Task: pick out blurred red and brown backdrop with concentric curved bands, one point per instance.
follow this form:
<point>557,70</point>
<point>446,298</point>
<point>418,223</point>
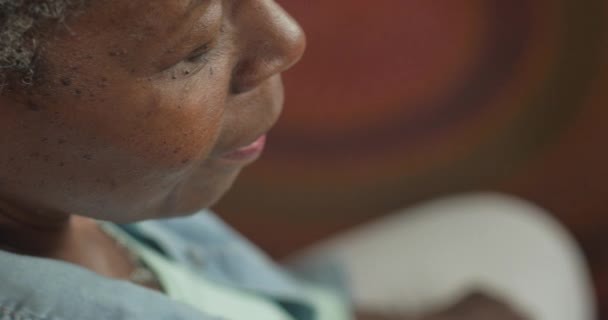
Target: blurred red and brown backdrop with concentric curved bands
<point>401,101</point>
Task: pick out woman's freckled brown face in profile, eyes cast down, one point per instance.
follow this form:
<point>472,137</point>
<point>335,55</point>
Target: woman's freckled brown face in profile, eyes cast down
<point>146,108</point>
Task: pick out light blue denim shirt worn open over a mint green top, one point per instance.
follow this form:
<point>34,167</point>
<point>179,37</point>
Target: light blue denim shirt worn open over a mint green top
<point>43,289</point>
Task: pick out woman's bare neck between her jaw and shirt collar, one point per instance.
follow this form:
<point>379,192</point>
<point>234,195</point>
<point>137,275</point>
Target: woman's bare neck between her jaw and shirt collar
<point>65,237</point>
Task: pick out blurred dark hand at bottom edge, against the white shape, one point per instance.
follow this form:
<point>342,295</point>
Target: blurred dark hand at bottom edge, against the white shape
<point>476,306</point>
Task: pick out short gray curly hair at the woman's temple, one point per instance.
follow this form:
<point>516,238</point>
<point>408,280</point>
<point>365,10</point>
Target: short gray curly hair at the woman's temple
<point>20,22</point>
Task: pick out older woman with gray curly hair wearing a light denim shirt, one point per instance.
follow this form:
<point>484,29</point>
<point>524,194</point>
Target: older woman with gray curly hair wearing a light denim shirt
<point>130,110</point>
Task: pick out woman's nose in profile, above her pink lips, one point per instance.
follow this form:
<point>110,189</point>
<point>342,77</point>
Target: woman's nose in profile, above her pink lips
<point>270,41</point>
